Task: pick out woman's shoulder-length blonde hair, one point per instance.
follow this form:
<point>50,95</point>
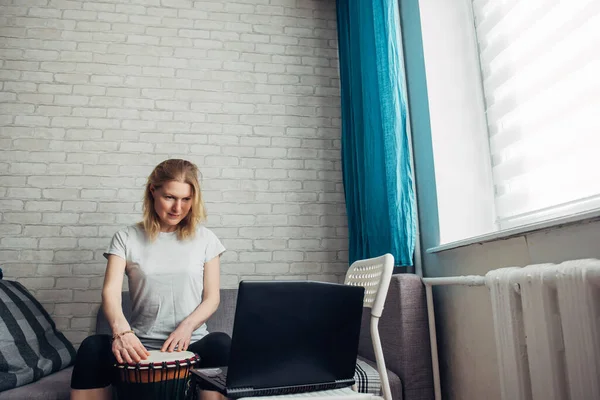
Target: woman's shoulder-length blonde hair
<point>180,171</point>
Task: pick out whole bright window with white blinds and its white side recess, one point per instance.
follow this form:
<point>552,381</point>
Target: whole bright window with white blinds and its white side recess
<point>513,94</point>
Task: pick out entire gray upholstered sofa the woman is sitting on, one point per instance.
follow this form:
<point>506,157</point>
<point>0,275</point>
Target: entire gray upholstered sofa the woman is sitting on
<point>403,328</point>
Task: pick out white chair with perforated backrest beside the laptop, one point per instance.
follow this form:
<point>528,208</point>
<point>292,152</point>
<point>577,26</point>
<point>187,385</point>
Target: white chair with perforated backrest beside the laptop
<point>374,274</point>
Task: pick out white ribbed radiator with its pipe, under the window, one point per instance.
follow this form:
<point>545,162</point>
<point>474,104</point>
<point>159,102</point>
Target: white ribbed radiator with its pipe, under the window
<point>547,328</point>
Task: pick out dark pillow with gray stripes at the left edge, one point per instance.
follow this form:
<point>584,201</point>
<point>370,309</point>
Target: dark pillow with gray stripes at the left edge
<point>30,345</point>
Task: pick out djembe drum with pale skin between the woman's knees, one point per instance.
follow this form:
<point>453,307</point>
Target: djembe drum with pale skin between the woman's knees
<point>162,376</point>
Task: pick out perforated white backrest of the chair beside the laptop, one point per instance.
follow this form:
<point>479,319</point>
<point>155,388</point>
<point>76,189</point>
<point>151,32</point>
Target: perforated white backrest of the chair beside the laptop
<point>374,274</point>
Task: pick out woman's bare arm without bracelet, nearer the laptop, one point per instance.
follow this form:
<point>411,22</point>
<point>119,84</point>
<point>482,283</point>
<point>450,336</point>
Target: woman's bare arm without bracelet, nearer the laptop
<point>210,301</point>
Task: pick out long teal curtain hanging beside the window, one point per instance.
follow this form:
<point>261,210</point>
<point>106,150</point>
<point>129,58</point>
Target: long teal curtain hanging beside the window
<point>376,156</point>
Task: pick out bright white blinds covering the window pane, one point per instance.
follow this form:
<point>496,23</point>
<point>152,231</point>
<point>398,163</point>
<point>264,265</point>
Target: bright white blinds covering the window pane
<point>540,63</point>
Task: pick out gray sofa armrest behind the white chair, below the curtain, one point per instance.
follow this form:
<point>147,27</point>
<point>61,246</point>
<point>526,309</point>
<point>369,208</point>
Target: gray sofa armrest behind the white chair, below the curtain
<point>404,332</point>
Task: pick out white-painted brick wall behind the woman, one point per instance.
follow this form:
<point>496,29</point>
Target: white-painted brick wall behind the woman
<point>94,94</point>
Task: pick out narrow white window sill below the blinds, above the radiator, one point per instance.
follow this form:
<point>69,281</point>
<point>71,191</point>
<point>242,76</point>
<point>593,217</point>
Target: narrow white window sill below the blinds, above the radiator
<point>519,231</point>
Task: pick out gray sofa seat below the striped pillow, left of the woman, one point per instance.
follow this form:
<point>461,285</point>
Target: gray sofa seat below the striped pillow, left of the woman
<point>52,387</point>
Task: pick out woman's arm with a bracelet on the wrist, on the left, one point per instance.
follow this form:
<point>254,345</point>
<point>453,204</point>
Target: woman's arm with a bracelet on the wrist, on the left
<point>126,348</point>
